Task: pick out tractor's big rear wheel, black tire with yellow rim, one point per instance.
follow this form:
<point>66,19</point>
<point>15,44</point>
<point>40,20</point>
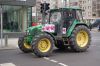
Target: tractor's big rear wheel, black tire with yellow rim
<point>80,39</point>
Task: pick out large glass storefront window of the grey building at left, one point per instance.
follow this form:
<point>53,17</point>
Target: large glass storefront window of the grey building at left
<point>16,18</point>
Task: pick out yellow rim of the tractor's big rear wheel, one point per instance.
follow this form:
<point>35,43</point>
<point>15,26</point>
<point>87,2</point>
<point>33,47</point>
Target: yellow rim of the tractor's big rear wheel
<point>82,38</point>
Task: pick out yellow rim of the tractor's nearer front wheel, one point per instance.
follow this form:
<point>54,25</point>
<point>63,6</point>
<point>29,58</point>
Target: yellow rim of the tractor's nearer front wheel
<point>44,45</point>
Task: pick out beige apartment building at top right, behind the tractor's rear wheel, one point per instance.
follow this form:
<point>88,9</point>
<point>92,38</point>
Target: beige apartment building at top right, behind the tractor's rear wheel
<point>91,9</point>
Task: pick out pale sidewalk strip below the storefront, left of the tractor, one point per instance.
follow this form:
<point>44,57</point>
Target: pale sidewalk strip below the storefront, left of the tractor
<point>12,43</point>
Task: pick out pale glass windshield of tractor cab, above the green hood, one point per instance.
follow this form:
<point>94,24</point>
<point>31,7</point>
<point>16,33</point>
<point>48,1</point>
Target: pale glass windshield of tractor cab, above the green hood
<point>55,17</point>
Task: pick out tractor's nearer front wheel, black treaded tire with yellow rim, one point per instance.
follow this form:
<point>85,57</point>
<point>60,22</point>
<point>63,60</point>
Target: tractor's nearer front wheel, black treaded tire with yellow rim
<point>42,45</point>
